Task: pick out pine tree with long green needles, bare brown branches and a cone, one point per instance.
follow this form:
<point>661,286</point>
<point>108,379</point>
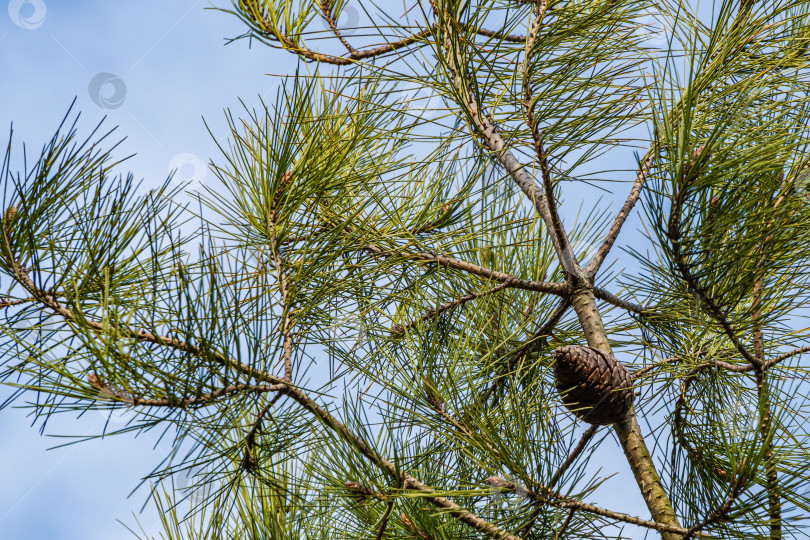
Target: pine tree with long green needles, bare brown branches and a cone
<point>389,319</point>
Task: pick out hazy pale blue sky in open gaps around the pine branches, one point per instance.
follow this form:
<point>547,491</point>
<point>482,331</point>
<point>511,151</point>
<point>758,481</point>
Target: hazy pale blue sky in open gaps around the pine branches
<point>154,68</point>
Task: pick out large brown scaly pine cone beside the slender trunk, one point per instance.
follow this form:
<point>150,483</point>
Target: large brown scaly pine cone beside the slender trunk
<point>593,385</point>
